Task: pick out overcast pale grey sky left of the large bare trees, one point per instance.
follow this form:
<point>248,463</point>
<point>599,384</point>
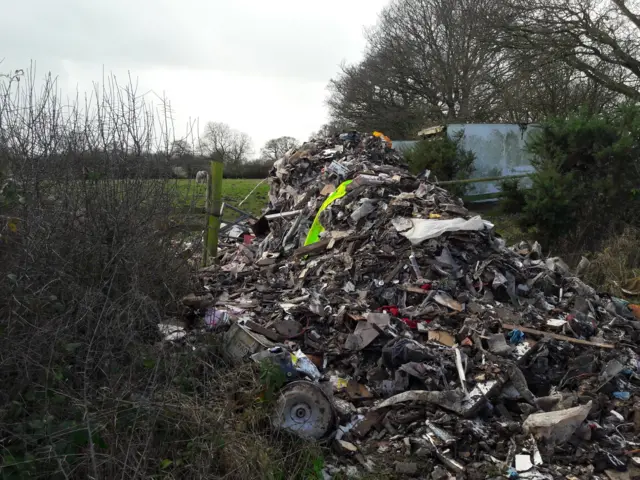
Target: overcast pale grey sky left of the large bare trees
<point>260,66</point>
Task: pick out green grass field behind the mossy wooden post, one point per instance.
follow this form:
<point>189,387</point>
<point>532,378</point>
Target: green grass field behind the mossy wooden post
<point>234,190</point>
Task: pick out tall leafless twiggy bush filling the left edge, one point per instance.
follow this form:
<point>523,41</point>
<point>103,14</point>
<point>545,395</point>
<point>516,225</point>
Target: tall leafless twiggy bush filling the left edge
<point>101,254</point>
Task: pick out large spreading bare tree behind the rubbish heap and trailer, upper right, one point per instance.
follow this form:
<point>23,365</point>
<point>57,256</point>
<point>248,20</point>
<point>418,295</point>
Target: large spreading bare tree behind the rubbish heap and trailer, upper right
<point>436,61</point>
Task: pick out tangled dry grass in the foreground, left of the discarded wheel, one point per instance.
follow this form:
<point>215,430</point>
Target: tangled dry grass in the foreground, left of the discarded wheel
<point>210,424</point>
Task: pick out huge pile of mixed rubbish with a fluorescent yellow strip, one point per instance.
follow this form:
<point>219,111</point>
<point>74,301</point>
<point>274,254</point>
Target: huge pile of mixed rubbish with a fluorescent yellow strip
<point>412,338</point>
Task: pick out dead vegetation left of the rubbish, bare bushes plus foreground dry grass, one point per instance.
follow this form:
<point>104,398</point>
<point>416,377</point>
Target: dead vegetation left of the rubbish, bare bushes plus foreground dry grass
<point>88,391</point>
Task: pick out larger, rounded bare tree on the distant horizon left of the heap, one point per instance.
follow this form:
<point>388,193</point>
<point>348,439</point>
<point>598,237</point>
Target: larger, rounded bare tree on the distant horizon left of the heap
<point>221,141</point>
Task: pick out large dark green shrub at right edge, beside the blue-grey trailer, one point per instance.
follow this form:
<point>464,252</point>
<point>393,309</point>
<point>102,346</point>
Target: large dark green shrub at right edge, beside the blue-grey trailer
<point>585,187</point>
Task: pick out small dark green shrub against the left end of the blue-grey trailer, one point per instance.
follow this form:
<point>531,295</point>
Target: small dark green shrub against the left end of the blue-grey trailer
<point>445,158</point>
